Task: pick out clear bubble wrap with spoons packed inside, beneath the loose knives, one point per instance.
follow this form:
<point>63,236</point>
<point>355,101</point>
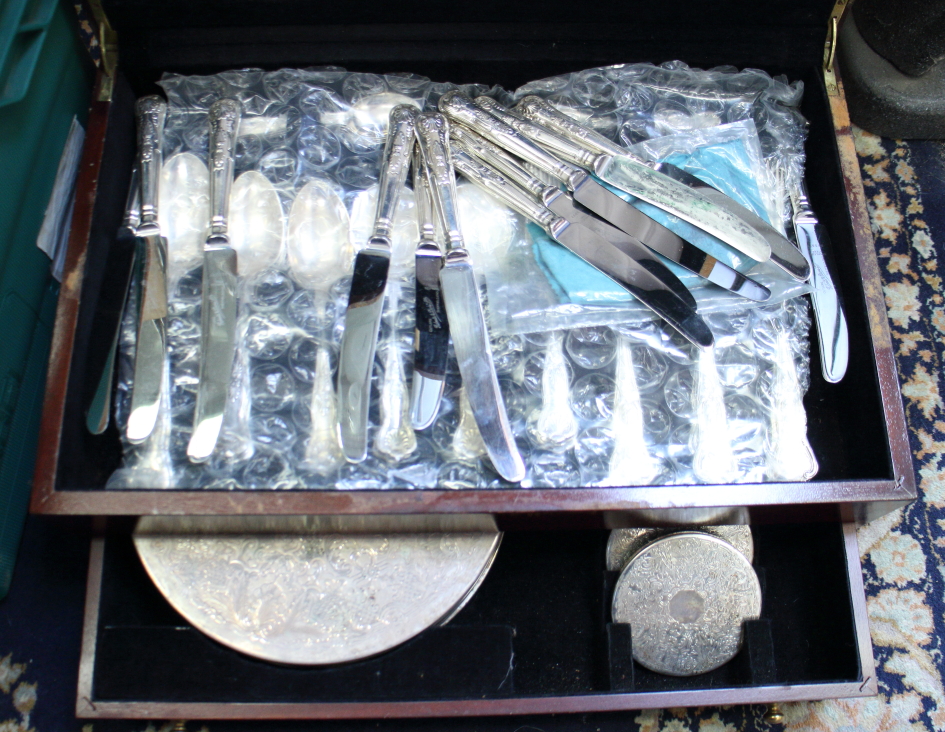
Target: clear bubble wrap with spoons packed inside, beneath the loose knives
<point>586,384</point>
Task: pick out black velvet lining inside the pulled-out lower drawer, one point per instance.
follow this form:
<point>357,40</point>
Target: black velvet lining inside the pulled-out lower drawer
<point>542,602</point>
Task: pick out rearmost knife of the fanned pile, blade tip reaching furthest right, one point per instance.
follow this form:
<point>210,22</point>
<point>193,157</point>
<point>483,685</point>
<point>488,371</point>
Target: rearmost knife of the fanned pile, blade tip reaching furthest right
<point>783,253</point>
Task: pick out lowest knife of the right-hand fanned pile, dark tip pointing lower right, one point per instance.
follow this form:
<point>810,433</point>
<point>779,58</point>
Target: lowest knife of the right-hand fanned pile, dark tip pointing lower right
<point>632,275</point>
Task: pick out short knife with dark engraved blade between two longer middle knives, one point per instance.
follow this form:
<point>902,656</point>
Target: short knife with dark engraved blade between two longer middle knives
<point>432,333</point>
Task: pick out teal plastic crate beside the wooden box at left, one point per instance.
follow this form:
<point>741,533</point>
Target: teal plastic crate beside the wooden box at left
<point>45,81</point>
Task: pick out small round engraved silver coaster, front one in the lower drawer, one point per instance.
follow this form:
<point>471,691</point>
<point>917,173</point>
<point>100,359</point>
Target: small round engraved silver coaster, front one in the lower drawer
<point>685,597</point>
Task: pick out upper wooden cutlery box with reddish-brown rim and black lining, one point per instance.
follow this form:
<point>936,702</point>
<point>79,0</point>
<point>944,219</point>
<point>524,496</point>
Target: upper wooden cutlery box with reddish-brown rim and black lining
<point>856,427</point>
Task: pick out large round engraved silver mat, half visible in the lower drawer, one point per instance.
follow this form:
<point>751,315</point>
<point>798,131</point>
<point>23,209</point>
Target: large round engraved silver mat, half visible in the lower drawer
<point>313,598</point>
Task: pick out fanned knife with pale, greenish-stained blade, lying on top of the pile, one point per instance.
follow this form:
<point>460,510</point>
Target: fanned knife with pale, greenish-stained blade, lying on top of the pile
<point>637,178</point>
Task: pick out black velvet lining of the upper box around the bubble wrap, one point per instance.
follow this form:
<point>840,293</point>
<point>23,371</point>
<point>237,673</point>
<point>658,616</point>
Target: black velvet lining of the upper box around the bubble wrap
<point>493,42</point>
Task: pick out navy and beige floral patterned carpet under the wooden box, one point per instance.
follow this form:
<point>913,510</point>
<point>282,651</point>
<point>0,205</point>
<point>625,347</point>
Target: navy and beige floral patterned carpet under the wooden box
<point>902,553</point>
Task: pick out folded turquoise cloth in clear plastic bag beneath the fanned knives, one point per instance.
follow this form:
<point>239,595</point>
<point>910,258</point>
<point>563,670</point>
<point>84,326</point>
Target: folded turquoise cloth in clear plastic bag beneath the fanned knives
<point>725,165</point>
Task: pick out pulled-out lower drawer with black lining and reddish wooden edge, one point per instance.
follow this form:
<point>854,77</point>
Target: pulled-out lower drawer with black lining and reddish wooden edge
<point>535,637</point>
